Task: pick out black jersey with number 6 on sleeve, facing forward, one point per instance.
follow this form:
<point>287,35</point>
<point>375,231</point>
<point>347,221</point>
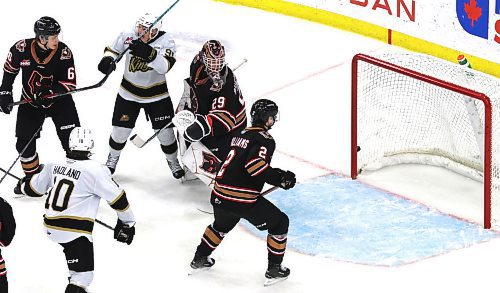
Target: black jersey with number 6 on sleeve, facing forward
<point>51,69</point>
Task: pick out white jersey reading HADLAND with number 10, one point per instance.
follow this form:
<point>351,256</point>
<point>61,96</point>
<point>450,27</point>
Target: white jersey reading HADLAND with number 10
<point>74,190</point>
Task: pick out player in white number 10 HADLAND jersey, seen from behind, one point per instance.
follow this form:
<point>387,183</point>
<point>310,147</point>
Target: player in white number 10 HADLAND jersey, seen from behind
<point>74,189</point>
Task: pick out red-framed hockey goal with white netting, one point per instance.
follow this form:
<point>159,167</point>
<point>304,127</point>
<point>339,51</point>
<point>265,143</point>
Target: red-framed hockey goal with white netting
<point>412,108</point>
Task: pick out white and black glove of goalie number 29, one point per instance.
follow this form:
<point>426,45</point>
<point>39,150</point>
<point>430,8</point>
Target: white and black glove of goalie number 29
<point>194,127</point>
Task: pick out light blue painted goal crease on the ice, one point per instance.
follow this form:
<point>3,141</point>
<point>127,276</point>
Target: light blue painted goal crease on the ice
<point>343,219</point>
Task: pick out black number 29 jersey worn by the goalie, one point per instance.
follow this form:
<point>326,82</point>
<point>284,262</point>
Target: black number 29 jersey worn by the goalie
<point>223,106</point>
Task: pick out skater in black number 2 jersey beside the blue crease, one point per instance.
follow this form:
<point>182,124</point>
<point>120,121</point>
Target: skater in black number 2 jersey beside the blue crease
<point>237,190</point>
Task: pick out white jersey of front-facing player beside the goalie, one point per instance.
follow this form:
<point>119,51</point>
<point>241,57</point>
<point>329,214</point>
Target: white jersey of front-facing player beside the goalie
<point>144,82</point>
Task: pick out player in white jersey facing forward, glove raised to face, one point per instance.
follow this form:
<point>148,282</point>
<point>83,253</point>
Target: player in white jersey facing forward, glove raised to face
<point>143,86</point>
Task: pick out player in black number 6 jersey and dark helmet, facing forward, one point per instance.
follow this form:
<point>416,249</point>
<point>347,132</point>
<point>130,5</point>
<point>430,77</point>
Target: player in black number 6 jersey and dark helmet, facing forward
<point>48,68</point>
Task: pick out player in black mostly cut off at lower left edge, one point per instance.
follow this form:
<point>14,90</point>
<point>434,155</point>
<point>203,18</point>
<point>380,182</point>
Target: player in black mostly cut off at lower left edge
<point>7,231</point>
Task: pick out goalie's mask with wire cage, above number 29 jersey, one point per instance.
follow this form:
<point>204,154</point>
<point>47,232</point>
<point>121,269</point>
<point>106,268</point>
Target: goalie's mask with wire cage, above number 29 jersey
<point>213,56</point>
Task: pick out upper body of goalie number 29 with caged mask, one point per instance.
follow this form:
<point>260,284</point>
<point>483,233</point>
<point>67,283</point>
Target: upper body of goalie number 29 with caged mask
<point>213,94</point>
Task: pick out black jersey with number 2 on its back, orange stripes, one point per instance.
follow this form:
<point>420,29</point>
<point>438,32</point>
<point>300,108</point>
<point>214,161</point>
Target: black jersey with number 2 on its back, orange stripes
<point>247,167</point>
